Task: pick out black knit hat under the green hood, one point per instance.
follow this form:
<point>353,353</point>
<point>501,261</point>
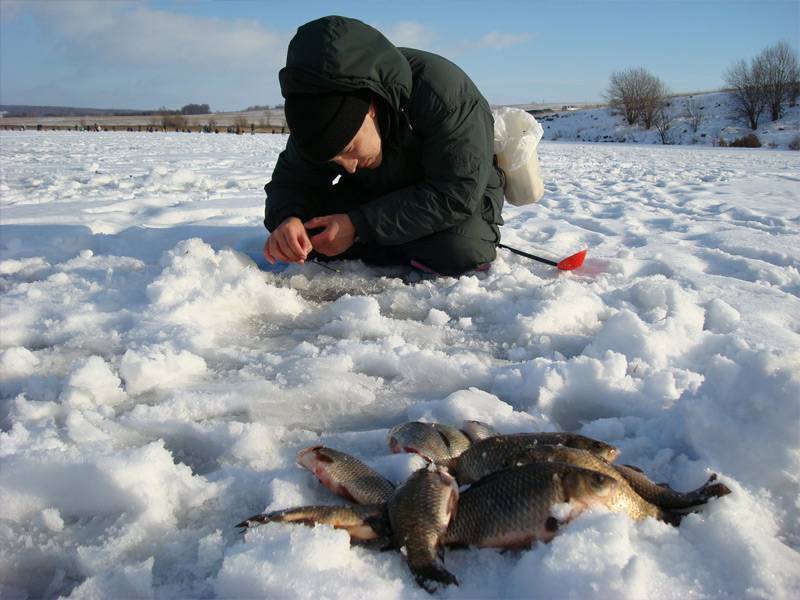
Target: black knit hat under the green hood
<point>323,124</point>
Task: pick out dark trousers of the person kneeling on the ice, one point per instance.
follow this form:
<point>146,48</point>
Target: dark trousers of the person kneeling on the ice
<point>453,251</point>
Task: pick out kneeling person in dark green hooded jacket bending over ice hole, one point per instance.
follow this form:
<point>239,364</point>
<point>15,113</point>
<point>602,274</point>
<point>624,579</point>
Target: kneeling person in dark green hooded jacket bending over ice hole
<point>390,156</point>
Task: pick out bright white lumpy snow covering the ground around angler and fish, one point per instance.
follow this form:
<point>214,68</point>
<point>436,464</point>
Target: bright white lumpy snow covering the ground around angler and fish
<point>156,384</point>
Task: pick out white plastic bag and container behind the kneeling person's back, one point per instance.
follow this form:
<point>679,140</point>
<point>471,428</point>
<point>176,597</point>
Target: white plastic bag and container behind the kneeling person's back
<point>516,135</point>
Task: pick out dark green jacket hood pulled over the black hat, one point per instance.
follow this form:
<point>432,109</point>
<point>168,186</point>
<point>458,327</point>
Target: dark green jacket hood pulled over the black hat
<point>342,54</point>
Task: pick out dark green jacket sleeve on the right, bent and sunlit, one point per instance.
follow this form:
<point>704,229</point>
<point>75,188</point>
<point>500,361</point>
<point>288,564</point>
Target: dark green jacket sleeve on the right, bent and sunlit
<point>457,154</point>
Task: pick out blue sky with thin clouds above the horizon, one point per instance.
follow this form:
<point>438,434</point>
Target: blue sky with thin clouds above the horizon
<point>227,53</point>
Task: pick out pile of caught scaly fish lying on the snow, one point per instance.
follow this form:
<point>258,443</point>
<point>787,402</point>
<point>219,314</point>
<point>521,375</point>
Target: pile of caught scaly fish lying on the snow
<point>522,488</point>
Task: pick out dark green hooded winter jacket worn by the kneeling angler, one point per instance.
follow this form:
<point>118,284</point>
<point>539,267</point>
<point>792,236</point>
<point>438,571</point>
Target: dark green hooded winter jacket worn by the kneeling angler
<point>436,131</point>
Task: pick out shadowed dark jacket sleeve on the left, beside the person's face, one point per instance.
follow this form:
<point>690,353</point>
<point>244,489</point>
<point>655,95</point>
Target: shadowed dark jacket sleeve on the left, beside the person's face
<point>296,187</point>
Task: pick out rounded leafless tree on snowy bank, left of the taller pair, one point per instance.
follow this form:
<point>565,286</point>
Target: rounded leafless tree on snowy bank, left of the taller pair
<point>637,94</point>
